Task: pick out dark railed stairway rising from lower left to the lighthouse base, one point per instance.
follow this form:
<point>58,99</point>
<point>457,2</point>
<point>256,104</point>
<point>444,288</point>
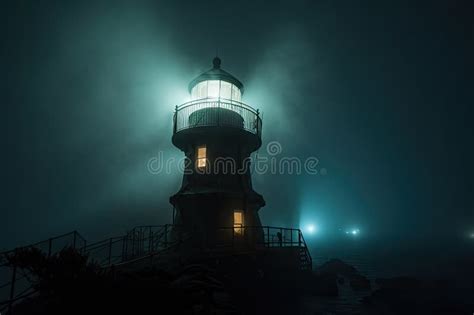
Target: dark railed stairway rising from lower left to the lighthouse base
<point>141,242</point>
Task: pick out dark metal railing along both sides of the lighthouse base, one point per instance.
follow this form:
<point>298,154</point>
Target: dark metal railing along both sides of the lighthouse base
<point>143,242</point>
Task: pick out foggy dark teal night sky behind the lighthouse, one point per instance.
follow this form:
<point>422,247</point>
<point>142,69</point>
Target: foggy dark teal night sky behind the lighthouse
<point>379,91</point>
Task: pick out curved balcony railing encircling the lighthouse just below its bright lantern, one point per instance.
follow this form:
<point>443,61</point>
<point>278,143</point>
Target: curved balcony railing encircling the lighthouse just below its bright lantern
<point>193,114</point>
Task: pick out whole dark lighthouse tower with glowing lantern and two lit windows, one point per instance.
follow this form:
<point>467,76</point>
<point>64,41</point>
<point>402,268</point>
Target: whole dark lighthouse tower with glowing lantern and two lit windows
<point>217,132</point>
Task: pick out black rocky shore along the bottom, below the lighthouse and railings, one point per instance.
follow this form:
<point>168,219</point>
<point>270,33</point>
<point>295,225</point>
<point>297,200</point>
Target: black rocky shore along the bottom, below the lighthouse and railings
<point>67,284</point>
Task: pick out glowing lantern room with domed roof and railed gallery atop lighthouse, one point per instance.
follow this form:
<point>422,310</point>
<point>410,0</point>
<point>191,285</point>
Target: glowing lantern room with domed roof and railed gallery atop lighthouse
<point>216,102</point>
